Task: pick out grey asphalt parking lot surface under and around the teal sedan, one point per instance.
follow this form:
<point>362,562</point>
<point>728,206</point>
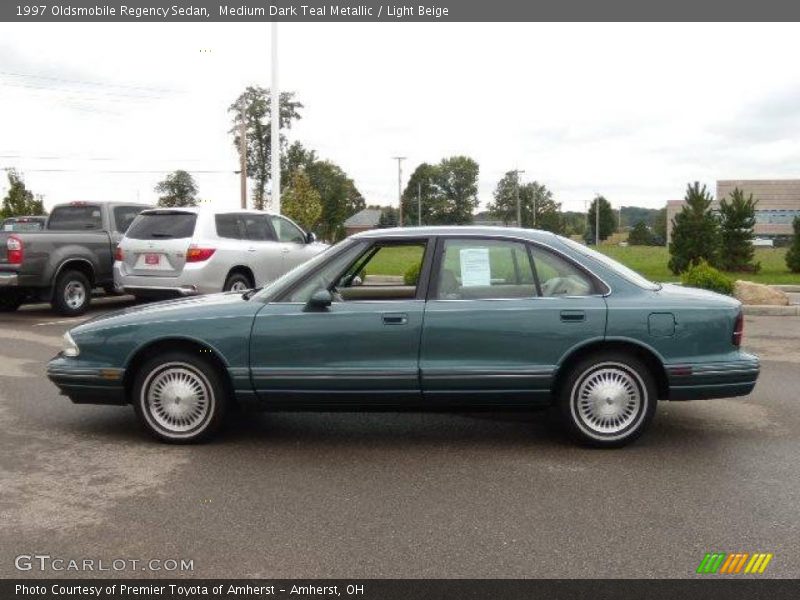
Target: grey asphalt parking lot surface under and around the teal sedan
<point>388,495</point>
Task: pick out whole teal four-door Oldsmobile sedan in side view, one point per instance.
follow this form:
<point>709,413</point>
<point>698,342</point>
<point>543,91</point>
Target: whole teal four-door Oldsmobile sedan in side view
<point>431,318</point>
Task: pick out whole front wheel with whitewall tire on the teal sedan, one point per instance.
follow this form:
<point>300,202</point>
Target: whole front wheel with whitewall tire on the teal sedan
<point>157,391</point>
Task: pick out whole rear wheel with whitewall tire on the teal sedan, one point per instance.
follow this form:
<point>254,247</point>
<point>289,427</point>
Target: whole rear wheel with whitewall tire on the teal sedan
<point>607,400</point>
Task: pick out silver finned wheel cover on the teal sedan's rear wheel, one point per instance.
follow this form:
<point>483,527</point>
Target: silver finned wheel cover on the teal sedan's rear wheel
<point>608,401</point>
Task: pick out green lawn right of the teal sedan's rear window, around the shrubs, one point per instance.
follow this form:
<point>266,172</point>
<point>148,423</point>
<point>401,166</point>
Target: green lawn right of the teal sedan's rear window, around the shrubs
<point>651,262</point>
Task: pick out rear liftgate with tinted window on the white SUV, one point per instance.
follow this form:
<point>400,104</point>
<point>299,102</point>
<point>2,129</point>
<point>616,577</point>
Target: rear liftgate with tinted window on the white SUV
<point>156,242</point>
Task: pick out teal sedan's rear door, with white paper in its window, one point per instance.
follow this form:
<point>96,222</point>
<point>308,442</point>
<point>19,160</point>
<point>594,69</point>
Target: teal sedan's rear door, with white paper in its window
<point>500,316</point>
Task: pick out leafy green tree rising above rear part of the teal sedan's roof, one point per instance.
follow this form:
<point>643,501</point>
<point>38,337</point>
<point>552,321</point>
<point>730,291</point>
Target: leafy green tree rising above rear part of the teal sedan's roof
<point>533,197</point>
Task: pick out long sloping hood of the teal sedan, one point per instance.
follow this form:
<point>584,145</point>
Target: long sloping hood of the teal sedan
<point>224,303</point>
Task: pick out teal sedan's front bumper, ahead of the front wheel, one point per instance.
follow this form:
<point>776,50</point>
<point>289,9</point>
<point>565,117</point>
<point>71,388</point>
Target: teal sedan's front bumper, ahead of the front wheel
<point>85,384</point>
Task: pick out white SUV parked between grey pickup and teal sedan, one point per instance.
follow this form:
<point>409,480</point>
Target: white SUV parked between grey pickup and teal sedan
<point>186,251</point>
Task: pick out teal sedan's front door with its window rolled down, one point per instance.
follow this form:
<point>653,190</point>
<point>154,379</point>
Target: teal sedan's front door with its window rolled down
<point>364,347</point>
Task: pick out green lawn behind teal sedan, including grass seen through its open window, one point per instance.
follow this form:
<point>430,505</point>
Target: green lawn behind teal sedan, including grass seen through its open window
<point>650,261</point>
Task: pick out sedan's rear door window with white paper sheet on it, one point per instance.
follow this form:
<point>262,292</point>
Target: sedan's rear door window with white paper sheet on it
<point>472,269</point>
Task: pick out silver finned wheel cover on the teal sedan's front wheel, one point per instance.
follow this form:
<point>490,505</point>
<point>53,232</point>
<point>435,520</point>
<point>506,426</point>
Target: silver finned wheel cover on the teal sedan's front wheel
<point>178,399</point>
